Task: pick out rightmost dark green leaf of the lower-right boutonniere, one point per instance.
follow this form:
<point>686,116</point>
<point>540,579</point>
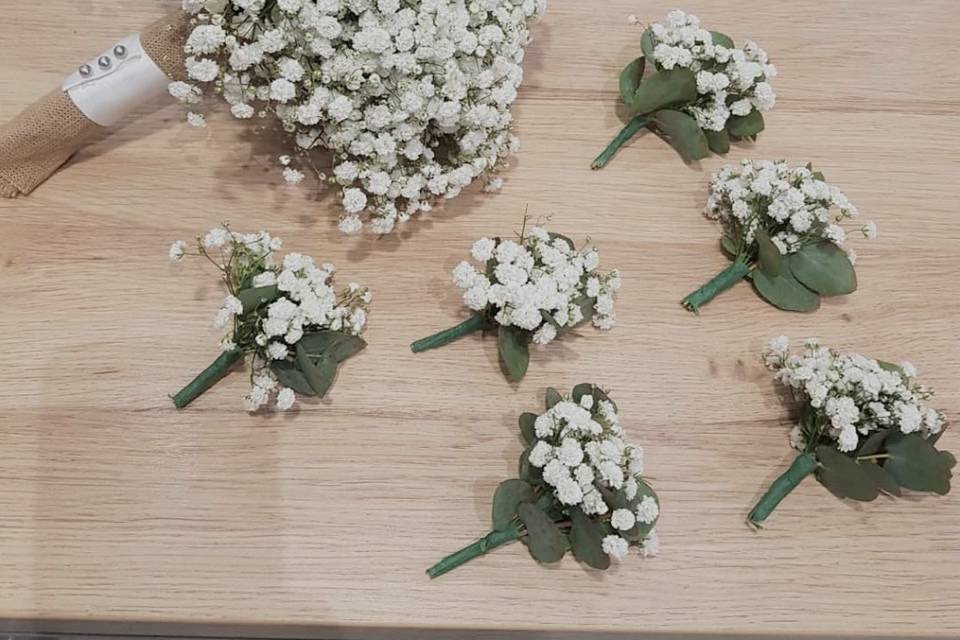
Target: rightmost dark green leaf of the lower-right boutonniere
<point>916,464</point>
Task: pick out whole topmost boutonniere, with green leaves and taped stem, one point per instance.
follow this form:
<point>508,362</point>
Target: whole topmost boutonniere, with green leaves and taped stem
<point>695,88</point>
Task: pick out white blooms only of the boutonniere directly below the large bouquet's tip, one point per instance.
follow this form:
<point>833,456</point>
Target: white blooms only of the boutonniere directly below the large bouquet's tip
<point>539,284</point>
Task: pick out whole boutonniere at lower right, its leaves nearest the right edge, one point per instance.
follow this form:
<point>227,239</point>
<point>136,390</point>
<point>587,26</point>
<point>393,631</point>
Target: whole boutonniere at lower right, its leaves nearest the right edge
<point>864,427</point>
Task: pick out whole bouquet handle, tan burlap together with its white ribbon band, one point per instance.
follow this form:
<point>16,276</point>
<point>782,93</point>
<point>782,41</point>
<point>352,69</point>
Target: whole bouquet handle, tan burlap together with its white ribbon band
<point>42,138</point>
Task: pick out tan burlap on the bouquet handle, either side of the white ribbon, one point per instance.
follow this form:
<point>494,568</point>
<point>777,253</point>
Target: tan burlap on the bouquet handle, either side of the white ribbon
<point>47,133</point>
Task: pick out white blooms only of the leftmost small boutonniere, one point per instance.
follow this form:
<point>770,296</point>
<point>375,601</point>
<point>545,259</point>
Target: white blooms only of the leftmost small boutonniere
<point>307,302</point>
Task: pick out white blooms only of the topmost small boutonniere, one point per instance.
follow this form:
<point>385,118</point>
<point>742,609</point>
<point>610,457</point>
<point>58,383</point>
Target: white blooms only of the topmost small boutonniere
<point>730,81</point>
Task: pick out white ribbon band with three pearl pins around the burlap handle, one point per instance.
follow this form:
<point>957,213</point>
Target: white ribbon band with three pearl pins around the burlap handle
<point>108,93</point>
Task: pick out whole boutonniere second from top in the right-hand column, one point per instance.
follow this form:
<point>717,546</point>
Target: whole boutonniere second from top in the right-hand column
<point>779,232</point>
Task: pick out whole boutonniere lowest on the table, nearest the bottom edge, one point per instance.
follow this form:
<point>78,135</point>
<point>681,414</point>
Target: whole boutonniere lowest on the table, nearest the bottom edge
<point>580,487</point>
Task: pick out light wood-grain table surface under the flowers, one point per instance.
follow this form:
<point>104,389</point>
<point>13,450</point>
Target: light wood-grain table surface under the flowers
<point>118,513</point>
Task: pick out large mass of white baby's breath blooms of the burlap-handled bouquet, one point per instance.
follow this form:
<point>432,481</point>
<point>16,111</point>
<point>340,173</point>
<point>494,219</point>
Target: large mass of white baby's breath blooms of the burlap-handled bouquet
<point>412,97</point>
